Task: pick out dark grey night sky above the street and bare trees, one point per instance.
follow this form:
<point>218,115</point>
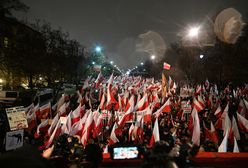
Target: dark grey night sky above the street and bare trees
<point>116,24</point>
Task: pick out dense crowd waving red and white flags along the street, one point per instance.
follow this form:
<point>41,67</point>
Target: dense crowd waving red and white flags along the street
<point>170,123</point>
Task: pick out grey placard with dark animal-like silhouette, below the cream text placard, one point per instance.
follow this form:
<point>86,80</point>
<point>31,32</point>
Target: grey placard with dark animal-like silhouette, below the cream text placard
<point>14,139</point>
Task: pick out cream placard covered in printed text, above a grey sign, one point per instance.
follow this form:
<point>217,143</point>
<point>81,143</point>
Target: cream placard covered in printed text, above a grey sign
<point>17,118</point>
